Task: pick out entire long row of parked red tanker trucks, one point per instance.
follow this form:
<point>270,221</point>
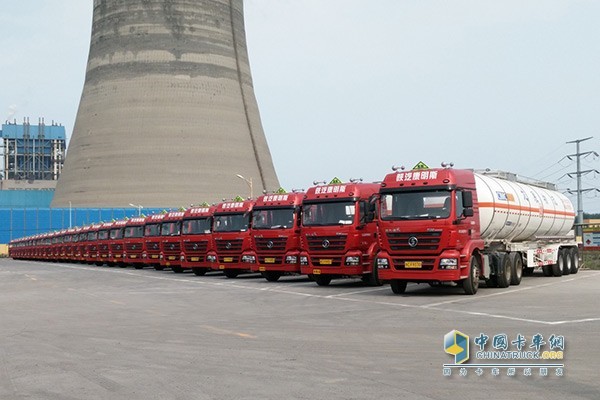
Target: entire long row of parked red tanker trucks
<point>431,226</point>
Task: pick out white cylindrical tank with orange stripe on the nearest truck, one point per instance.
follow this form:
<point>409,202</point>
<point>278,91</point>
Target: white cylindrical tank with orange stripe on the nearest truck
<point>516,211</point>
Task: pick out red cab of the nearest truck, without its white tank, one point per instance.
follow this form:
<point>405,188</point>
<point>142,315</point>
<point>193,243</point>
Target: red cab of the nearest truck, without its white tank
<point>428,226</point>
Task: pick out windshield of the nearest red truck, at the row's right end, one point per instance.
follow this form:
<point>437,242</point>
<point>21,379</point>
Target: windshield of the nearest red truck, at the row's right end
<point>433,204</point>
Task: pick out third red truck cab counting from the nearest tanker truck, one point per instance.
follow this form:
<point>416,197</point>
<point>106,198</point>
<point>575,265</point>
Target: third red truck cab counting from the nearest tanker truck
<point>275,246</point>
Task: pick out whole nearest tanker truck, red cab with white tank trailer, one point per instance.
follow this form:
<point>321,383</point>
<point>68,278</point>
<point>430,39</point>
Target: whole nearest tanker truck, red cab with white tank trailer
<point>459,226</point>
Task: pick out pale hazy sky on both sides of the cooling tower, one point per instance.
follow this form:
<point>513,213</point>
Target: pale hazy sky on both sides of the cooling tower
<point>350,88</point>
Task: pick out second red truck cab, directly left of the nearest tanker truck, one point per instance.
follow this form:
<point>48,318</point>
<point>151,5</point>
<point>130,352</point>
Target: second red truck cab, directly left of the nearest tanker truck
<point>339,232</point>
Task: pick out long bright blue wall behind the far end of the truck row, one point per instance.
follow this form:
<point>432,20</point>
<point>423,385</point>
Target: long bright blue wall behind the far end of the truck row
<point>20,222</point>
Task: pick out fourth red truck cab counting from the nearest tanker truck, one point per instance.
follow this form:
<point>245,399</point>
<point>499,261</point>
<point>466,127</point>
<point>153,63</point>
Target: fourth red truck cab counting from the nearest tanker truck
<point>231,235</point>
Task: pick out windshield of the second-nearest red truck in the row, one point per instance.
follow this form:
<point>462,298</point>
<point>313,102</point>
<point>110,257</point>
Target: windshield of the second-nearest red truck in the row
<point>328,213</point>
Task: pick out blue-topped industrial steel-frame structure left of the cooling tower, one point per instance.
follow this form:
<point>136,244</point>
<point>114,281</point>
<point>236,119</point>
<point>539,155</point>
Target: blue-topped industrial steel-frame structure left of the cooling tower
<point>32,152</point>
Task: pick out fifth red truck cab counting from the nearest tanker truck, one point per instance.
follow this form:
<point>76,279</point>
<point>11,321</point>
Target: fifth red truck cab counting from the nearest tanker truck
<point>196,237</point>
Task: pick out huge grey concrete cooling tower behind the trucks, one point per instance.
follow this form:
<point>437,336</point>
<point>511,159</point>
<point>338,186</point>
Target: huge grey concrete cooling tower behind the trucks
<point>168,115</point>
